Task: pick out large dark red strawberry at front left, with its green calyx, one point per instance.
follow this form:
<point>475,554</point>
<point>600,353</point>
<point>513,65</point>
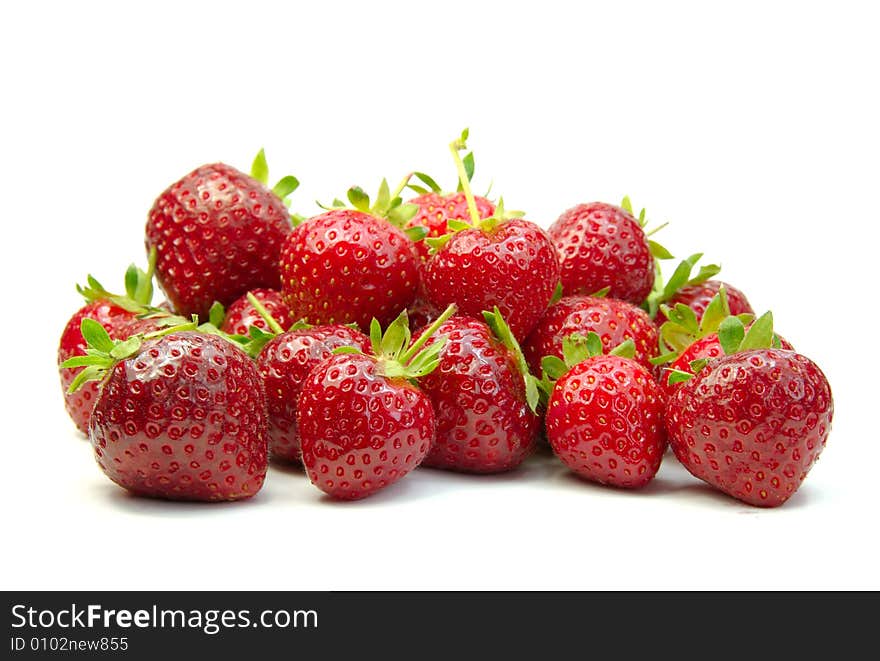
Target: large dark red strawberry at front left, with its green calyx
<point>180,415</point>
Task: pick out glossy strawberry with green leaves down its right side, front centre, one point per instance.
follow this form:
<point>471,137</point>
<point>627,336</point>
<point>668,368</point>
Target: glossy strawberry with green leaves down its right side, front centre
<point>479,392</point>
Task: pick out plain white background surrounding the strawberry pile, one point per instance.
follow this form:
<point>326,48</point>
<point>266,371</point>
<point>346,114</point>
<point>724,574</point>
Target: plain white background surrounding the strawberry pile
<point>753,128</point>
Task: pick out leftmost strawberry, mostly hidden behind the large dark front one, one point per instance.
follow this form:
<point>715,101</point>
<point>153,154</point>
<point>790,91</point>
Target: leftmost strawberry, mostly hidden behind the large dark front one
<point>114,312</point>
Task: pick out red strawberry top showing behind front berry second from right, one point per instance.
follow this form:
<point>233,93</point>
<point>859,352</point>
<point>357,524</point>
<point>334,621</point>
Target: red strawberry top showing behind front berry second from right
<point>614,321</point>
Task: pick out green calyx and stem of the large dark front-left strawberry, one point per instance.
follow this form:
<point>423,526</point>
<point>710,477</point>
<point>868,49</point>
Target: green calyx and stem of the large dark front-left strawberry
<point>102,352</point>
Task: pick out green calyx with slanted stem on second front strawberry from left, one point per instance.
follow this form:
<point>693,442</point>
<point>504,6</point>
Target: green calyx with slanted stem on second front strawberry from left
<point>396,355</point>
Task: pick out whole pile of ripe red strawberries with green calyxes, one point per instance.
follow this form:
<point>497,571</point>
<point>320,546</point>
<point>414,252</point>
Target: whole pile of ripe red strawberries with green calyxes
<point>440,331</point>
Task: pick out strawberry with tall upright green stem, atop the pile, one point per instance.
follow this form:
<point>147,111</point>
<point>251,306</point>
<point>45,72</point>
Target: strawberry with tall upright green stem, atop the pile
<point>498,261</point>
